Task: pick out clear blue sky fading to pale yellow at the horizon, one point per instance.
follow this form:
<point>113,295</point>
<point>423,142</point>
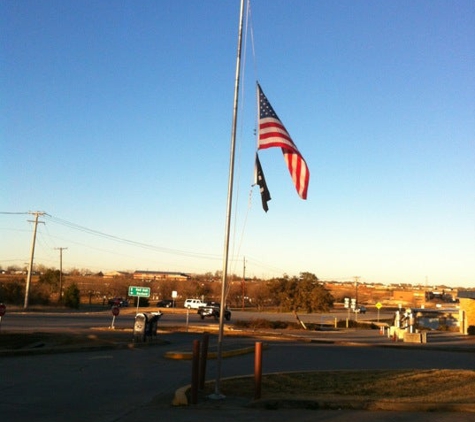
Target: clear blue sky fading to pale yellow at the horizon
<point>116,116</point>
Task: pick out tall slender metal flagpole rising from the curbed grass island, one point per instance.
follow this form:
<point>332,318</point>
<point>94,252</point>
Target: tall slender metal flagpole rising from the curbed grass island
<point>217,393</point>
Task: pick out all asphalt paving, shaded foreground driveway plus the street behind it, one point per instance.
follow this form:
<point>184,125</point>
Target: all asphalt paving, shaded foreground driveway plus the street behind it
<point>138,384</point>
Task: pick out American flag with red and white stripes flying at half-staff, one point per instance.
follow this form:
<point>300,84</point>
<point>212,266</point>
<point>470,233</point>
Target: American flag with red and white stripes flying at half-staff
<point>272,133</point>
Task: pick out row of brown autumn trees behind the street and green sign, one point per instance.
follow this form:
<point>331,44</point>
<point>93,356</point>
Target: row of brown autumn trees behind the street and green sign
<point>303,293</point>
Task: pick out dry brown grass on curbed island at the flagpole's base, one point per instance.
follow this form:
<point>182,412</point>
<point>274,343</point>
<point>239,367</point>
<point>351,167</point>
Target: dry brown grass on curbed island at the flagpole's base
<point>441,386</point>
